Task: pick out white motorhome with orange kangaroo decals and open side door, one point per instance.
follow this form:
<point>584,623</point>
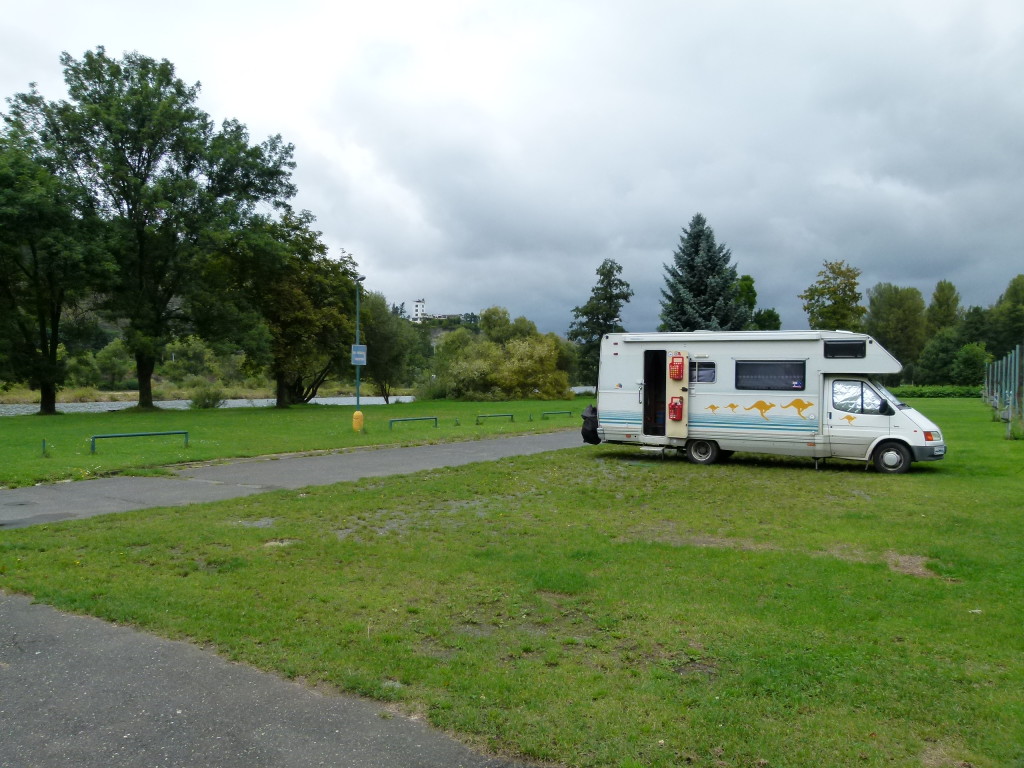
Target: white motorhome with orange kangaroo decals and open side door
<point>788,393</point>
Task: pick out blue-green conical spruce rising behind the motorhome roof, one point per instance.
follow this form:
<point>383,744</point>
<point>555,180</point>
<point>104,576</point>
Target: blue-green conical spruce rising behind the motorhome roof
<point>701,286</point>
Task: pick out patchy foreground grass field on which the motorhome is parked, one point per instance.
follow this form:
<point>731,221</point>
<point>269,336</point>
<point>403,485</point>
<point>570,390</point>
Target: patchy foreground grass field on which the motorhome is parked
<point>599,608</point>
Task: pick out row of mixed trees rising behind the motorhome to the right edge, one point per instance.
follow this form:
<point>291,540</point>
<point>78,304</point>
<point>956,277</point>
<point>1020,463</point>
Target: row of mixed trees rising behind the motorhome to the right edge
<point>942,343</point>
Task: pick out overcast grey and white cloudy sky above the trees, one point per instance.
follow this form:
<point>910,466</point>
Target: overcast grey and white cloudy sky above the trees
<point>480,154</point>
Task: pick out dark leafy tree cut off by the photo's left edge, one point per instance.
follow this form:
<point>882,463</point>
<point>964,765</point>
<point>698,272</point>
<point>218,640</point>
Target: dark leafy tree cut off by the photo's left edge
<point>49,258</point>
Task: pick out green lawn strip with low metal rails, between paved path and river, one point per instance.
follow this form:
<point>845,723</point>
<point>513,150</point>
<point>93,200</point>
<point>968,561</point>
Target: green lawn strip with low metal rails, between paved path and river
<point>221,434</point>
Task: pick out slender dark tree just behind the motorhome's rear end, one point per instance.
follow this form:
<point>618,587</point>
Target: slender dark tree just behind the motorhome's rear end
<point>599,317</point>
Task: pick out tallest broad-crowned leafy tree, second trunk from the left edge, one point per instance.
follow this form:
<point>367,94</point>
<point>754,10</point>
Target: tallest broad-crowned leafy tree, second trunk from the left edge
<point>165,181</point>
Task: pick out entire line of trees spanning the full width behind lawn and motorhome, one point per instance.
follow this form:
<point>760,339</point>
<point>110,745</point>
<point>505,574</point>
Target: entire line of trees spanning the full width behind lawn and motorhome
<point>138,234</point>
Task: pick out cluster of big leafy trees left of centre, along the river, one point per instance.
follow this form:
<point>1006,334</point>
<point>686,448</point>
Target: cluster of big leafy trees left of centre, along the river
<point>134,227</point>
